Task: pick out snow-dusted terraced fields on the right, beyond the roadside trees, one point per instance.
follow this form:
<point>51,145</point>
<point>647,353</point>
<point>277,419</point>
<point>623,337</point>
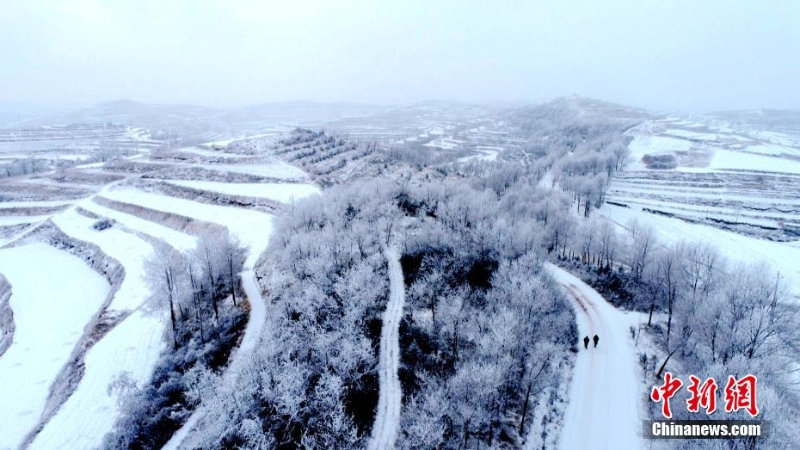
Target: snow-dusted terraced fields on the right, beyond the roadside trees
<point>711,180</point>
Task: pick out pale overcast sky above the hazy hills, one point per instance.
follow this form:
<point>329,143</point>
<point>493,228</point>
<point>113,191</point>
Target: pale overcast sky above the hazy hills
<point>692,55</point>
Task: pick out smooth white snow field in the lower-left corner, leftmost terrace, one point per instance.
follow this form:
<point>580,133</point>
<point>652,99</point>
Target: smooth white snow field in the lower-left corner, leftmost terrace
<point>54,295</point>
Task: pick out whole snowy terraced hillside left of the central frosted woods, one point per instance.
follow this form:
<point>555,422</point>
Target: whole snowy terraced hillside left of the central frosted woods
<point>101,223</point>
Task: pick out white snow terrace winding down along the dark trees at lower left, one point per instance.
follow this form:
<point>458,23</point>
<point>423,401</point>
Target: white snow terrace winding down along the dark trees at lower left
<point>133,346</point>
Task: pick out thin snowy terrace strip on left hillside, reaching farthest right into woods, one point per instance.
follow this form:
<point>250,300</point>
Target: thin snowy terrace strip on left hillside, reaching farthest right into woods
<point>281,192</point>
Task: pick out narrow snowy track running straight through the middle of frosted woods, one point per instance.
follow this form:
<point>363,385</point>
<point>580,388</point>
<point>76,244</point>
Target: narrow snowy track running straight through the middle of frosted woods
<point>387,418</point>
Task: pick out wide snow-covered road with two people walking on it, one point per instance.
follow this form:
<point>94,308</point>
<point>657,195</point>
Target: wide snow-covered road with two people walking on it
<point>603,410</point>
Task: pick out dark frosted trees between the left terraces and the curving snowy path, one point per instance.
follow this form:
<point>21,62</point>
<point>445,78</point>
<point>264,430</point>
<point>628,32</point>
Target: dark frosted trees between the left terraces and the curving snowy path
<point>200,294</point>
